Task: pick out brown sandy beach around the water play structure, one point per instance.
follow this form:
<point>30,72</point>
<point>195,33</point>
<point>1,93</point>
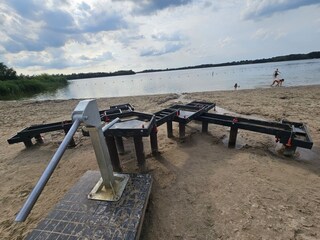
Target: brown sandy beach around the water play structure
<point>202,189</point>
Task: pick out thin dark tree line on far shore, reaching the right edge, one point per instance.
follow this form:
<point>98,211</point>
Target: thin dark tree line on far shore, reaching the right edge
<point>291,57</point>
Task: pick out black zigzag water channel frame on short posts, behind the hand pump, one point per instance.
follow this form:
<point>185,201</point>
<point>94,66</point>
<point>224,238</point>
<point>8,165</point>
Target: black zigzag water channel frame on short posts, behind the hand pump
<point>291,134</point>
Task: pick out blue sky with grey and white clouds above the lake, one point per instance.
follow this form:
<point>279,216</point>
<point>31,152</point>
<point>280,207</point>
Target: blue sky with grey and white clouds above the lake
<point>65,36</point>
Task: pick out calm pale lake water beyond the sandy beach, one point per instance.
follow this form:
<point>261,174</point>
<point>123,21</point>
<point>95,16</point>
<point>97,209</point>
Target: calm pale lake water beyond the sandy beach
<point>295,73</point>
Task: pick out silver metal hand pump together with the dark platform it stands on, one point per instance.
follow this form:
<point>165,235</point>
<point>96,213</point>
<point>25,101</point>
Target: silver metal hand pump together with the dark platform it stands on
<point>102,205</point>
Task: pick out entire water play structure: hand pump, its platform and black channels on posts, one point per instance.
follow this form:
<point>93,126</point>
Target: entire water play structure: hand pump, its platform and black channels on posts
<point>109,204</point>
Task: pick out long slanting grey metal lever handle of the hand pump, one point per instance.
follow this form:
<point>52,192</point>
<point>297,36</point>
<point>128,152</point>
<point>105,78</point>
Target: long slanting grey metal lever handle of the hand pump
<point>34,195</point>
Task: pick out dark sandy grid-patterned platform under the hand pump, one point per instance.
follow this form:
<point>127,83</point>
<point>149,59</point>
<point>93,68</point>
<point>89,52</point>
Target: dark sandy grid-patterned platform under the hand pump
<point>76,217</point>
